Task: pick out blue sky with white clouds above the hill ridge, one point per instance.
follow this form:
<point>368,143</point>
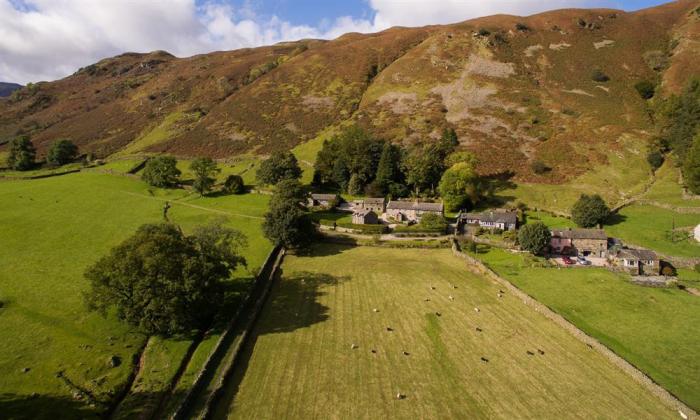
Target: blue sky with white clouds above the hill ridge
<point>50,39</point>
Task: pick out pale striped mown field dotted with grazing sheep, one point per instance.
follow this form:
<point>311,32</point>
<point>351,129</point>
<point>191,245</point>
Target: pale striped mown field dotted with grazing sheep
<point>302,363</point>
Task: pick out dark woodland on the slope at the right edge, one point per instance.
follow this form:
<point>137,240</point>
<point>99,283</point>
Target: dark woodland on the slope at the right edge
<point>680,133</point>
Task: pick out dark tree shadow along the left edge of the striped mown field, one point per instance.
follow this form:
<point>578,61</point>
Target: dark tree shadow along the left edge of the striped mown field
<point>293,304</point>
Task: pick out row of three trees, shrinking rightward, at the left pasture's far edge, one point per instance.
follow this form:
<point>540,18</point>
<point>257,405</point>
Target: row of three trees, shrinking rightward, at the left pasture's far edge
<point>162,172</point>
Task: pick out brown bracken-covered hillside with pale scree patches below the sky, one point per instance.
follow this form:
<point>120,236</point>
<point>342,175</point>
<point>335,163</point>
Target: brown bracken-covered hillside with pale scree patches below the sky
<point>517,90</point>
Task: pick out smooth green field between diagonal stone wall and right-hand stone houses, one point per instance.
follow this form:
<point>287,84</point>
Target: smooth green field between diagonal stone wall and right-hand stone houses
<point>654,329</point>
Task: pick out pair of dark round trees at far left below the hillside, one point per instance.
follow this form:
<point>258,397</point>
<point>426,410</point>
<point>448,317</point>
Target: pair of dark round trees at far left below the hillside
<point>22,153</point>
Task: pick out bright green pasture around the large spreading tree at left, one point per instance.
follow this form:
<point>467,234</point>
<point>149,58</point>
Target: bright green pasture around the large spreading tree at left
<point>50,231</point>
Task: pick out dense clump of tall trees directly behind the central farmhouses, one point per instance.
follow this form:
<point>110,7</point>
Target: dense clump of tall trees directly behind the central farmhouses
<point>357,163</point>
